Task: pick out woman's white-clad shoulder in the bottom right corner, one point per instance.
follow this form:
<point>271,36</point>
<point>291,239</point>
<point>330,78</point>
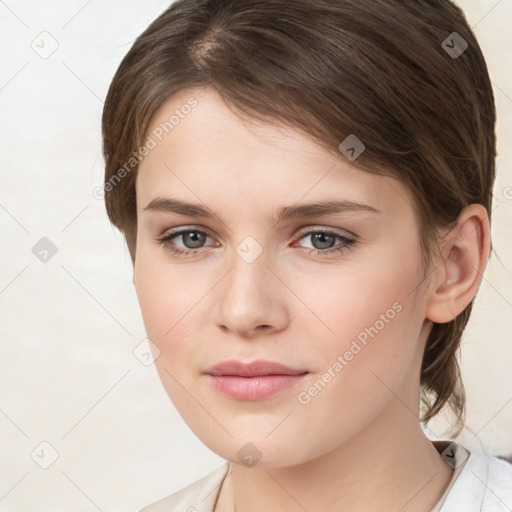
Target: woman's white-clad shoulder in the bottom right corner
<point>485,483</point>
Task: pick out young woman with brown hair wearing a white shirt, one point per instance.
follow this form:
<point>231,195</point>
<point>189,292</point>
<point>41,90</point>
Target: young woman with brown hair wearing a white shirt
<point>305,189</point>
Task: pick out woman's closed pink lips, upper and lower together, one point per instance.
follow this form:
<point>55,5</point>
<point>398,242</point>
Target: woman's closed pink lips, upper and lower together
<point>253,381</point>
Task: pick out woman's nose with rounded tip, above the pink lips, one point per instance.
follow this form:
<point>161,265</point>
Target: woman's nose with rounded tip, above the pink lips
<point>252,299</point>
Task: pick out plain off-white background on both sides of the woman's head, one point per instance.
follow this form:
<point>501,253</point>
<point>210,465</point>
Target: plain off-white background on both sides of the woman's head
<point>69,377</point>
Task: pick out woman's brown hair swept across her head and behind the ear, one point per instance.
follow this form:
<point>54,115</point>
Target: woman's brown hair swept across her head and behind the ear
<point>384,70</point>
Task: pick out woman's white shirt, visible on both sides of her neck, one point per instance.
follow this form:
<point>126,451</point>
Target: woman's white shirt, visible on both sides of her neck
<point>480,483</point>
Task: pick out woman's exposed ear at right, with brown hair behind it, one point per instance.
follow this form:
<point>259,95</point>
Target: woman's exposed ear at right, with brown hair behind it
<point>458,273</point>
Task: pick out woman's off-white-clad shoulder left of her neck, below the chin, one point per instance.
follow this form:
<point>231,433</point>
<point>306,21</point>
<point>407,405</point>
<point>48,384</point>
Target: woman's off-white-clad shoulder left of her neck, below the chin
<point>198,496</point>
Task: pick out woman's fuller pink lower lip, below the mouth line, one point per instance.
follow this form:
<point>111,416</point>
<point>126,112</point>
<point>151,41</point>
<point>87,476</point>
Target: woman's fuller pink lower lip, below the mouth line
<point>253,388</point>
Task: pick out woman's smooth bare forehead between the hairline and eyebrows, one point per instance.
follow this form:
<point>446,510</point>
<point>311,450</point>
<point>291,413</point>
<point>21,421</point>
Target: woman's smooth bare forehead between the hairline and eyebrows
<point>202,149</point>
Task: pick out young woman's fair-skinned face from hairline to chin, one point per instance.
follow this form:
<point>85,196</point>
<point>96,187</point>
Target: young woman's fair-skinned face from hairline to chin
<point>333,296</point>
